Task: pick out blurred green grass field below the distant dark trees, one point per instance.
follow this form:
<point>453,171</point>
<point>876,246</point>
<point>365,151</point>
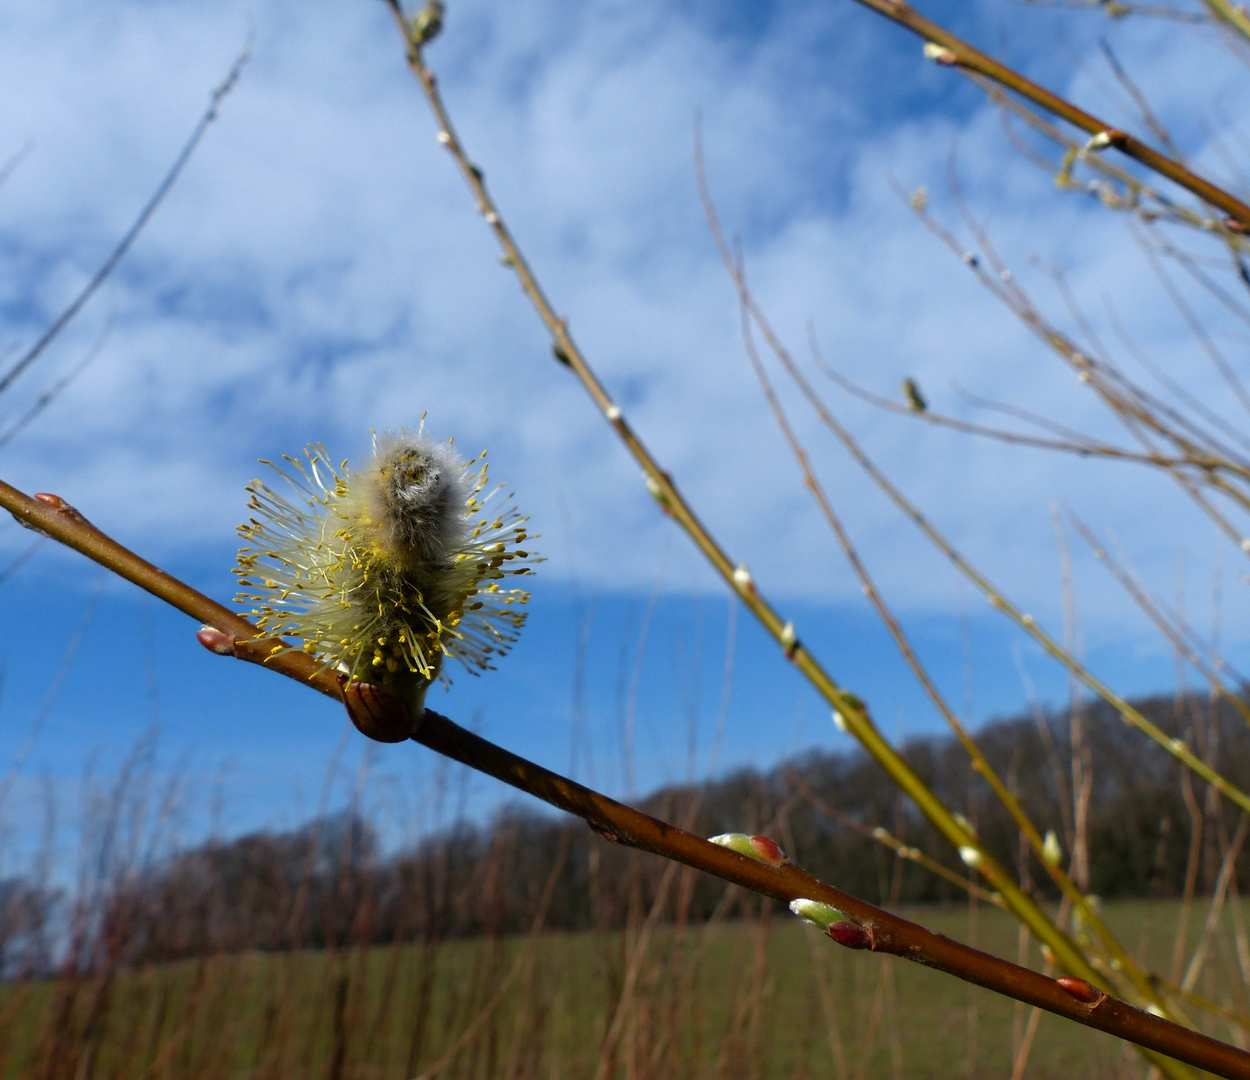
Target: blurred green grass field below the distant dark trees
<point>767,998</point>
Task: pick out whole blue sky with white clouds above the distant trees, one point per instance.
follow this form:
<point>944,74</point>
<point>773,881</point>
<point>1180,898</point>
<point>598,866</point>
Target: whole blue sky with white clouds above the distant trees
<point>319,272</point>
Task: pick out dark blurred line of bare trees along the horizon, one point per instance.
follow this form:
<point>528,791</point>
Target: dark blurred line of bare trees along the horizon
<point>328,883</point>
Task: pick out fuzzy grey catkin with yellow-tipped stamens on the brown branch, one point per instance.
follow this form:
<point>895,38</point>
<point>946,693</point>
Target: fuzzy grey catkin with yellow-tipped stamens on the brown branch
<point>386,571</point>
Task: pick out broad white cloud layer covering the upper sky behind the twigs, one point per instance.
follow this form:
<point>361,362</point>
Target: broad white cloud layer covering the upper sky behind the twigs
<point>321,271</point>
